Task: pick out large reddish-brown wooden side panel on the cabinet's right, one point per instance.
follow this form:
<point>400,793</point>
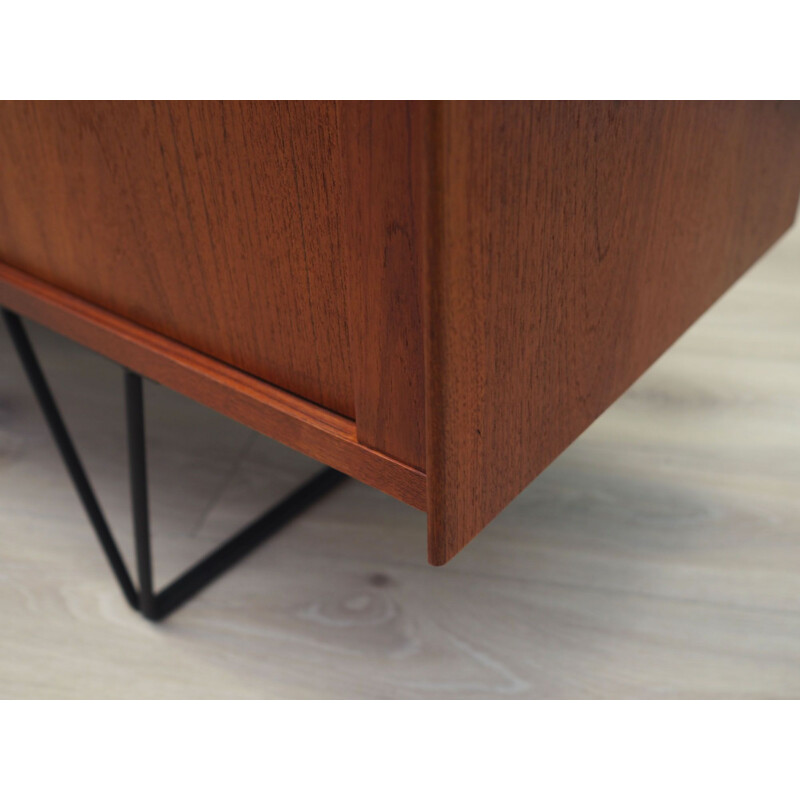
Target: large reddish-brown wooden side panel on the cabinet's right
<point>573,244</point>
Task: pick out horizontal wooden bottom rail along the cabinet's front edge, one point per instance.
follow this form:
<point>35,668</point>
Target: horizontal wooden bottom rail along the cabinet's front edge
<point>291,420</point>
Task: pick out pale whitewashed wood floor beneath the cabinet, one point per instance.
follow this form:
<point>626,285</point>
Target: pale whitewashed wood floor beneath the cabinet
<point>658,557</point>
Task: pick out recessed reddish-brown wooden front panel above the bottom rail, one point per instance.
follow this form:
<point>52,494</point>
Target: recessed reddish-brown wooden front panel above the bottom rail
<point>214,224</point>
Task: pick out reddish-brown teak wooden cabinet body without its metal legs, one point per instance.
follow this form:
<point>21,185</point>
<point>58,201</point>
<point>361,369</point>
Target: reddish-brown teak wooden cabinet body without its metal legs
<point>435,298</point>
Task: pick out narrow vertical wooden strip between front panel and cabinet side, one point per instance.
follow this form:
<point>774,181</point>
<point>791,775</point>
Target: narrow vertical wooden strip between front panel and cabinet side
<point>384,176</point>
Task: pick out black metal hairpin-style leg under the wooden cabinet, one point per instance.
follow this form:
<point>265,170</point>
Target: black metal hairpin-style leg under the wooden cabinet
<point>152,605</point>
